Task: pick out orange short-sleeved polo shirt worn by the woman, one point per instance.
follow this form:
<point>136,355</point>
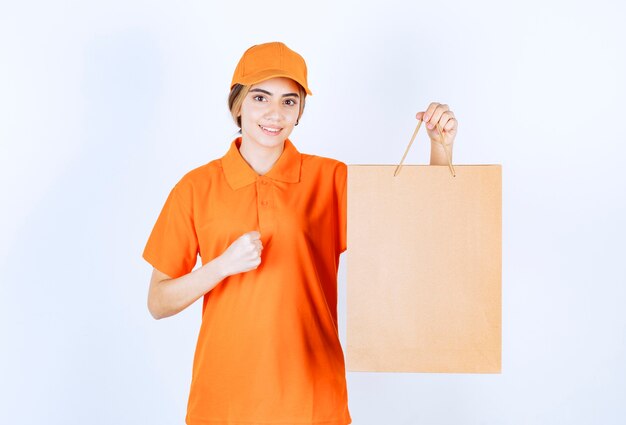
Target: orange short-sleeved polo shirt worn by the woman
<point>268,350</point>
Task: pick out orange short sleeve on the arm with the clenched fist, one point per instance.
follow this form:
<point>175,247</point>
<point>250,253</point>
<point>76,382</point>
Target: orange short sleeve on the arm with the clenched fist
<point>172,247</point>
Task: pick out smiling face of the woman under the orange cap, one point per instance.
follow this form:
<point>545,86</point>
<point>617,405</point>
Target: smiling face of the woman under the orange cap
<point>269,112</point>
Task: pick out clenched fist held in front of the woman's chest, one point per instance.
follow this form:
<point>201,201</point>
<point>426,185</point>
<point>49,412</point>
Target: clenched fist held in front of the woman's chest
<point>243,255</point>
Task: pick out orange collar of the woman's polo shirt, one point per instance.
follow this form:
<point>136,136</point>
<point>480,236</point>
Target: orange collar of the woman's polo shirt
<point>239,173</point>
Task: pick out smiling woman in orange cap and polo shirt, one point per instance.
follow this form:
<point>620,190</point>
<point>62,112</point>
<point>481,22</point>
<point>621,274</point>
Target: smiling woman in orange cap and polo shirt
<point>269,223</point>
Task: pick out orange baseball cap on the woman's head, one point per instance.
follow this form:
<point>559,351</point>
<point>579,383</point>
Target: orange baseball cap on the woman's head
<point>264,61</point>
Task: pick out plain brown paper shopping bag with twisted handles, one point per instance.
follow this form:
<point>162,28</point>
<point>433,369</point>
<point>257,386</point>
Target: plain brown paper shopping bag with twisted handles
<point>424,267</point>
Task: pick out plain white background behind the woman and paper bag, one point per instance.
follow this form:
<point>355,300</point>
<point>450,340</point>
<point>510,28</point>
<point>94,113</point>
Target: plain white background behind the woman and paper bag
<point>105,105</point>
